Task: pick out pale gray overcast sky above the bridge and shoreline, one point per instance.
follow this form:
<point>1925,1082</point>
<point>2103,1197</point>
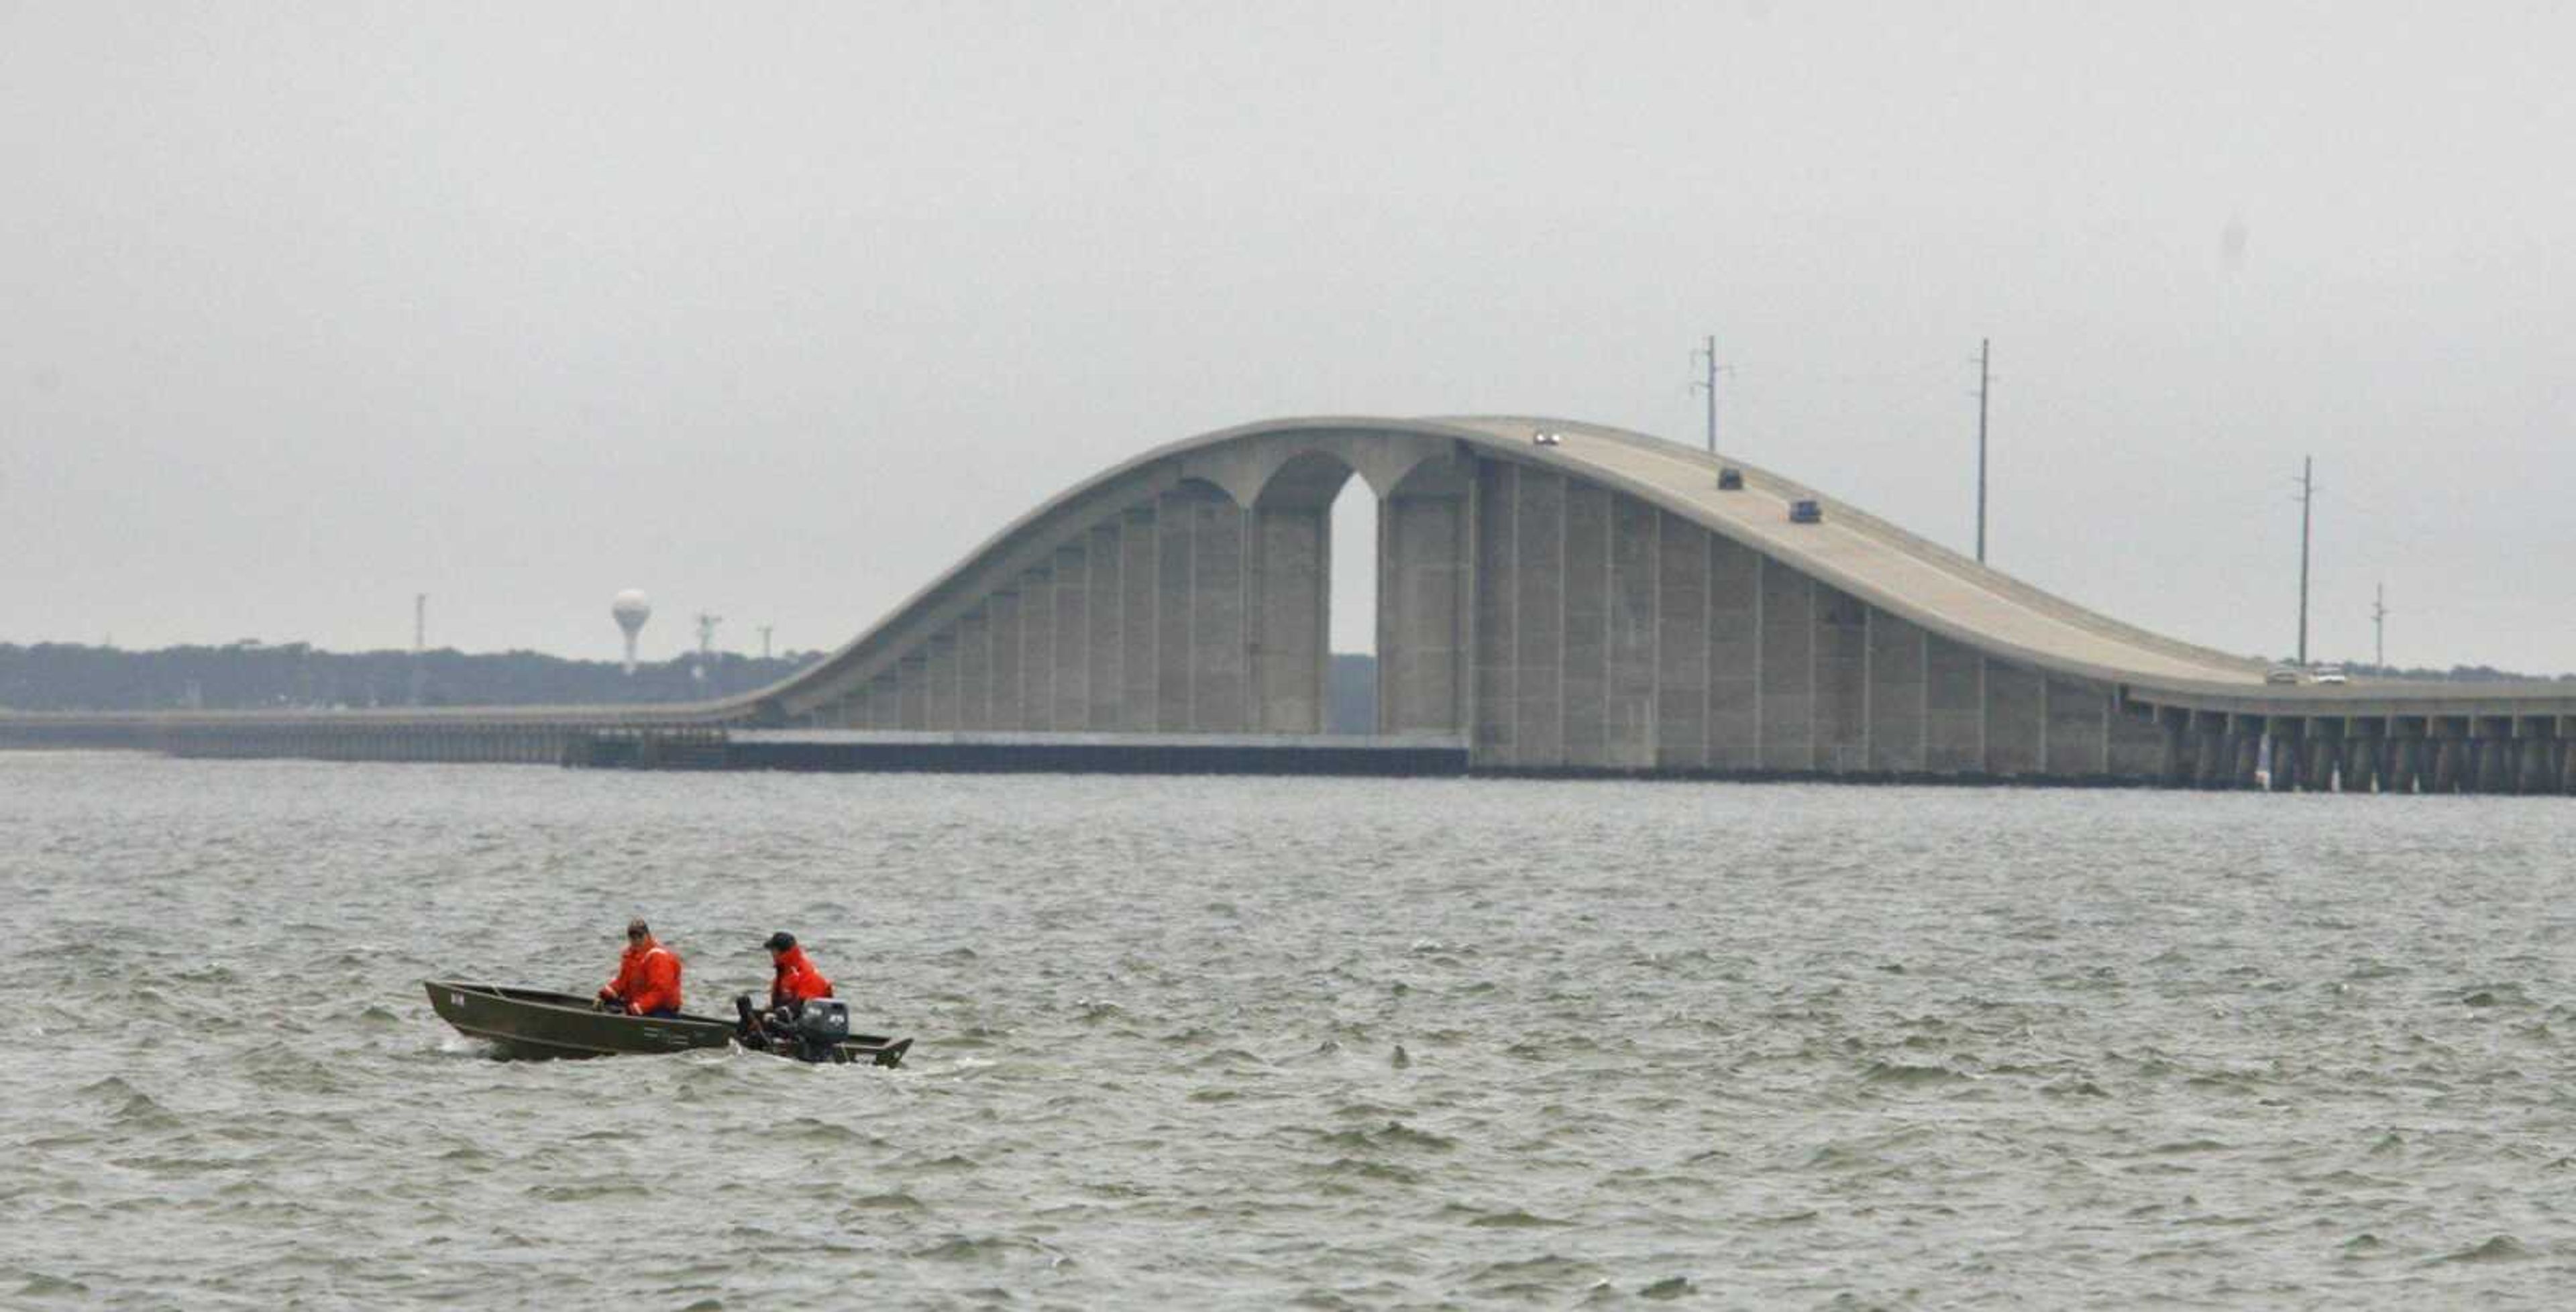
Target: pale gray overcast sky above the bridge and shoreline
<point>777,311</point>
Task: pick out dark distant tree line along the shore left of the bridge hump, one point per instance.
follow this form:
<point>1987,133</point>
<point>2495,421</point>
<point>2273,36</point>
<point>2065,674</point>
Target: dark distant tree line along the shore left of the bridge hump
<point>61,677</point>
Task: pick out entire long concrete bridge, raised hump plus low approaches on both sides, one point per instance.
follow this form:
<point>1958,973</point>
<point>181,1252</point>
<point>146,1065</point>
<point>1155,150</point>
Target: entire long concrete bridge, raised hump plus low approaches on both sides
<point>1552,599</point>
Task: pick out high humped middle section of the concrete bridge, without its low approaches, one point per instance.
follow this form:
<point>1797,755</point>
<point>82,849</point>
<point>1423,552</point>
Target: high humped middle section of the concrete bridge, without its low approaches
<point>1555,594</point>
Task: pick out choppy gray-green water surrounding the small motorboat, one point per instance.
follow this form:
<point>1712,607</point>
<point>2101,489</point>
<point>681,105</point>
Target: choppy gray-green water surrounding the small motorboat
<point>1215,1043</point>
